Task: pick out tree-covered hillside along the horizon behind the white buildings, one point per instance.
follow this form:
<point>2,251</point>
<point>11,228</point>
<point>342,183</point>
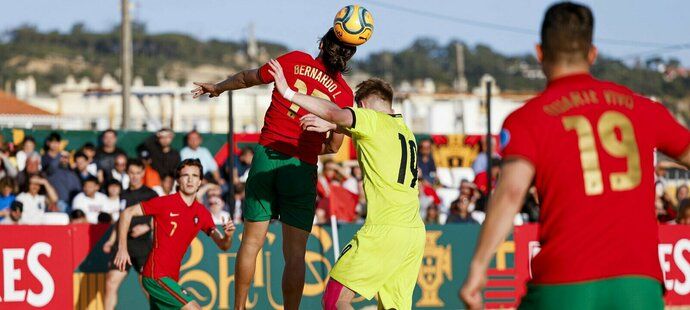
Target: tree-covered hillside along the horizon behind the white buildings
<point>51,56</point>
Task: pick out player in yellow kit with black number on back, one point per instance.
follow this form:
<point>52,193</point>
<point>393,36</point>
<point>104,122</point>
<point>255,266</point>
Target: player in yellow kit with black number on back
<point>385,255</point>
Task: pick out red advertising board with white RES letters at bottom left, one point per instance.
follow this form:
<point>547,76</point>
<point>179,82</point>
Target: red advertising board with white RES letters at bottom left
<point>36,268</point>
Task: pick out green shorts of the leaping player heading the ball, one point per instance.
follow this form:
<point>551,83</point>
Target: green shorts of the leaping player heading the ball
<point>280,186</point>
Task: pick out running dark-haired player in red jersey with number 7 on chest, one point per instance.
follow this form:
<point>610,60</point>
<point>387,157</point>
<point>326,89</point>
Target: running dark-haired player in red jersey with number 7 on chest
<point>177,219</point>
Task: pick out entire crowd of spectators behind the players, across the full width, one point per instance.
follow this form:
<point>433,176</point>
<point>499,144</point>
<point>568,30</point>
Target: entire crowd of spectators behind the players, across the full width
<point>92,183</point>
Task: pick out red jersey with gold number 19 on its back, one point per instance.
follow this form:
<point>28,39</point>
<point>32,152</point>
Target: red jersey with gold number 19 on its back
<point>592,144</point>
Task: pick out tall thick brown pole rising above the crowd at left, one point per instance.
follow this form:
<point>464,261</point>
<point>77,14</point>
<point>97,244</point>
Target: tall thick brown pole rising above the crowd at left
<point>126,63</point>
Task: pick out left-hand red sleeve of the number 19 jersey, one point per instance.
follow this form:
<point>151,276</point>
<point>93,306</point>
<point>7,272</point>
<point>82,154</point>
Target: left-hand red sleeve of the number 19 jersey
<point>517,139</point>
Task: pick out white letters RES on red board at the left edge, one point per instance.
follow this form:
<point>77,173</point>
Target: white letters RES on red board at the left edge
<point>12,275</point>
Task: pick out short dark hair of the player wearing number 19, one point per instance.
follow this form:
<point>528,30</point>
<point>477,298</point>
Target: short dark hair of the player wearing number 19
<point>566,32</point>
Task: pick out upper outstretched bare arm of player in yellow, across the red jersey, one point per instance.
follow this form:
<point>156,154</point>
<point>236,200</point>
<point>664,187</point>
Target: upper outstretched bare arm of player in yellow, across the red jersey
<point>324,109</point>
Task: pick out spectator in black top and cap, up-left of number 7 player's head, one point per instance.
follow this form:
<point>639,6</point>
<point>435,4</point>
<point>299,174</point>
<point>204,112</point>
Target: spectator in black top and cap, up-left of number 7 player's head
<point>164,158</point>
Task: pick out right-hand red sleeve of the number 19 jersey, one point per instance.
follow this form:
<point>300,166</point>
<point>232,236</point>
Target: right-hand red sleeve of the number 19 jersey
<point>672,138</point>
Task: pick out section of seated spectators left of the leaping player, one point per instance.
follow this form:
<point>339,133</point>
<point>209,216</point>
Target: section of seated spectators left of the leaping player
<point>93,183</point>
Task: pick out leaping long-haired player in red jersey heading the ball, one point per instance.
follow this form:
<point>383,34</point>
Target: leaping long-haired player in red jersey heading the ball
<point>282,180</point>
